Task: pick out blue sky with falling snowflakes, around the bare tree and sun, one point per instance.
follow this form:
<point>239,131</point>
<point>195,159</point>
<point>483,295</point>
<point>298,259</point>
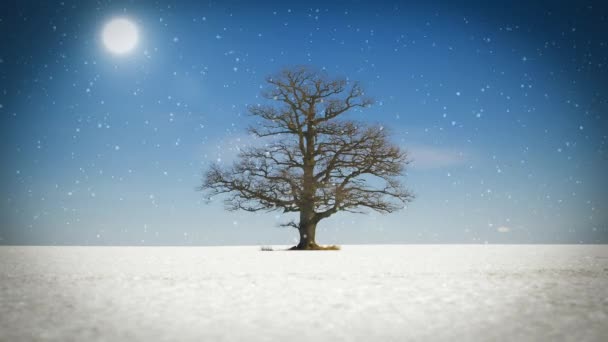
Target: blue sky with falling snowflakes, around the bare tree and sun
<point>502,106</point>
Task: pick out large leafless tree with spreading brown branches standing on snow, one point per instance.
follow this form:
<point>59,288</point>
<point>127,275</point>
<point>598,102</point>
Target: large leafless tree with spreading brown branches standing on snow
<point>314,162</point>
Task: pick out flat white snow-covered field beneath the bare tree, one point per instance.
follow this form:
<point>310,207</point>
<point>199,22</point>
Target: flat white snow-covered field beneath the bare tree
<point>362,293</point>
